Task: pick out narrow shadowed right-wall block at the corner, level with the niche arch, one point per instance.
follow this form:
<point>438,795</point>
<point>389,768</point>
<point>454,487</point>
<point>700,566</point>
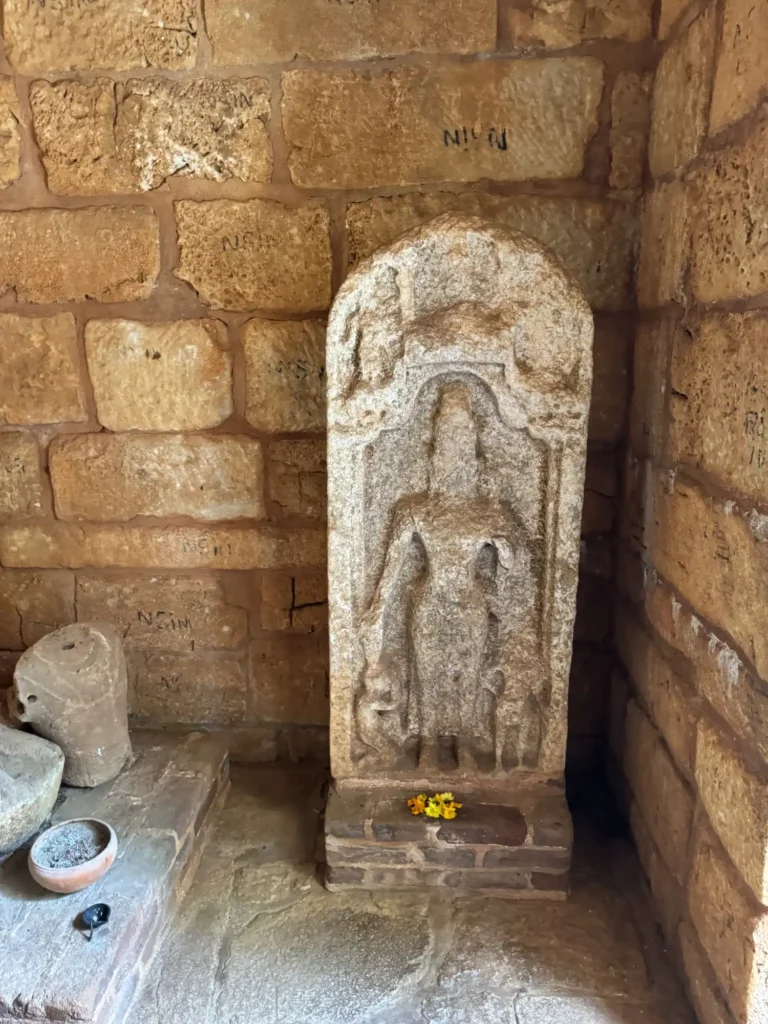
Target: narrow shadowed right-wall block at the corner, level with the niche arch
<point>653,342</point>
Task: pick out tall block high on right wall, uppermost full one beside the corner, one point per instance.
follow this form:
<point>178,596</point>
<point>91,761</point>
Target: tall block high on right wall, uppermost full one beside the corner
<point>681,96</point>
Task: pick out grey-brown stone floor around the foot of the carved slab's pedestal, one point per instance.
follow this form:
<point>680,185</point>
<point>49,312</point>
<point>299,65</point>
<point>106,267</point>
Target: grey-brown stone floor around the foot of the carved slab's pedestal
<point>259,941</point>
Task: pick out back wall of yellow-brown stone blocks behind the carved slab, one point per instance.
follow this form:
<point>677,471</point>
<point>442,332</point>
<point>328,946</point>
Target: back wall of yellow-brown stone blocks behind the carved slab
<point>184,186</point>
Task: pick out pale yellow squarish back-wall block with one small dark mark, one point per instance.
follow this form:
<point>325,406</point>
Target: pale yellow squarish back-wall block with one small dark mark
<point>176,375</point>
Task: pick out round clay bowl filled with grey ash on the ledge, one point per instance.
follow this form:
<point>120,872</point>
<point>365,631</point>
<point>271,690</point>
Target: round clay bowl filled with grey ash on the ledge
<point>72,856</point>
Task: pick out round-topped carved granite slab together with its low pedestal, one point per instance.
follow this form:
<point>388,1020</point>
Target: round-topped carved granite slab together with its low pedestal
<point>460,371</point>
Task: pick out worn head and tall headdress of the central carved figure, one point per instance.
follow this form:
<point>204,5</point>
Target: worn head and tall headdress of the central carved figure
<point>454,455</point>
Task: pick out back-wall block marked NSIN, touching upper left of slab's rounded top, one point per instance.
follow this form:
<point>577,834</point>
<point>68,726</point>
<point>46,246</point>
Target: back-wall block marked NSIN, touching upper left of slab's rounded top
<point>258,254</point>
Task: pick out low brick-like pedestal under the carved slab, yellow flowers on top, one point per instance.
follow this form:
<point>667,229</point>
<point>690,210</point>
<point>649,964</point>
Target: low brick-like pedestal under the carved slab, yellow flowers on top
<point>520,848</point>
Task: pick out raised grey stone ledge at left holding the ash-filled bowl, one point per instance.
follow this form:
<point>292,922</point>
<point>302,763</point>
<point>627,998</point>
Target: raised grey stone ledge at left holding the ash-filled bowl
<point>160,808</point>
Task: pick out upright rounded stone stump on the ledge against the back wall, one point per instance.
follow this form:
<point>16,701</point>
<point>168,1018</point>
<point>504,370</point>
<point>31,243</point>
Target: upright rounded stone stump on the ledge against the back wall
<point>72,689</point>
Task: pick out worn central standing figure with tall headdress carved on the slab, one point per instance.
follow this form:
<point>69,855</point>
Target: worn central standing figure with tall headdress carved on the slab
<point>447,713</point>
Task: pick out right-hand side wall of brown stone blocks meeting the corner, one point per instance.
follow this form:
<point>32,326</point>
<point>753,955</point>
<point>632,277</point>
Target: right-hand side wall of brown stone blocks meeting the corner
<point>691,709</point>
